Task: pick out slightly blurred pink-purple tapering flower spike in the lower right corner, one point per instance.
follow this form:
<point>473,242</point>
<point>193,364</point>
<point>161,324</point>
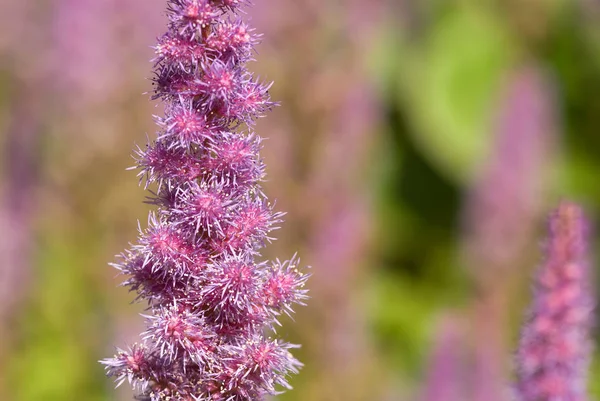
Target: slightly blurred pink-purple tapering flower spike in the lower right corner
<point>552,358</point>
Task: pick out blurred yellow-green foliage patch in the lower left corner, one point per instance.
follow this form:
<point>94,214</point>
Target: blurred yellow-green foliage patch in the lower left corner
<point>60,335</point>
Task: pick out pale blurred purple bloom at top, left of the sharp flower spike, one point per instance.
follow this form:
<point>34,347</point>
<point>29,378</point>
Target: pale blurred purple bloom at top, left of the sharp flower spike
<point>83,33</point>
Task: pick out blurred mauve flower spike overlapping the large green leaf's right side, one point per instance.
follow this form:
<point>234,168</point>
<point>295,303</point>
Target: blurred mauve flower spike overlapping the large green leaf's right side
<point>504,203</point>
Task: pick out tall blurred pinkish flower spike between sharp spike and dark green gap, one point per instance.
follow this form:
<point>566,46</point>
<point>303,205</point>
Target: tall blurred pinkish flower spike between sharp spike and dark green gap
<point>339,241</point>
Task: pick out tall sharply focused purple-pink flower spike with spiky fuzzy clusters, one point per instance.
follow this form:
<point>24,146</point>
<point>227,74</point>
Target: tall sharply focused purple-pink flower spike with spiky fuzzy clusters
<point>212,306</point>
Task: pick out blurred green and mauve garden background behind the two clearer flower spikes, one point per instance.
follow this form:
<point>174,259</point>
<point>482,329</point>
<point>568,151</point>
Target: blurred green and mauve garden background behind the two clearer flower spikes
<point>417,148</point>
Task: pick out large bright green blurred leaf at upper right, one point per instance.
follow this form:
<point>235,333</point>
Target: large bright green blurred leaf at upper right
<point>447,82</point>
